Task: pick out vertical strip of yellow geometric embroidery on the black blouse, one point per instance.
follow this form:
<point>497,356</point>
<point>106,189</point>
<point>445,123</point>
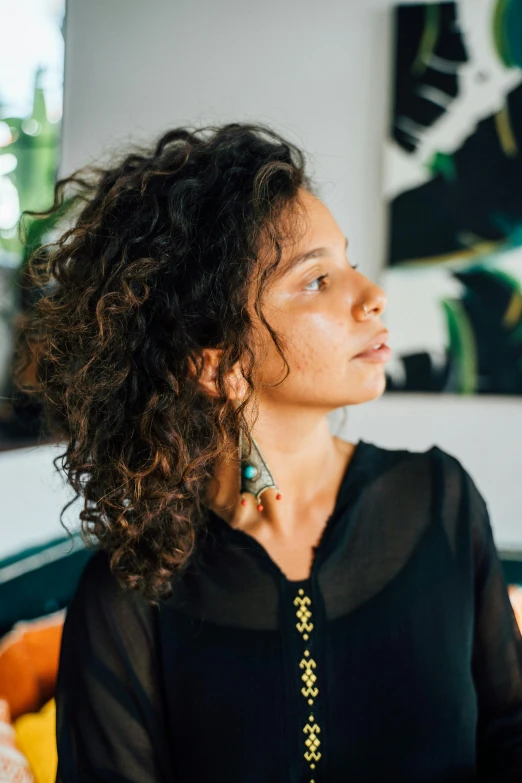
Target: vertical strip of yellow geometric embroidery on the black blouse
<point>309,678</point>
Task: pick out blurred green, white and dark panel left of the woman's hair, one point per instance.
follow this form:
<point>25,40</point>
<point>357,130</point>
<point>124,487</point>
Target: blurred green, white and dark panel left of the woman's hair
<point>31,102</point>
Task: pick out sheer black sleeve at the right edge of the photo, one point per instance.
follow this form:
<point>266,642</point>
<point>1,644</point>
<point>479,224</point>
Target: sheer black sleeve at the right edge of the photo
<point>497,655</point>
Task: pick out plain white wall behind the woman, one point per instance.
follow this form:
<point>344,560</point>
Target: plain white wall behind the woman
<point>320,73</point>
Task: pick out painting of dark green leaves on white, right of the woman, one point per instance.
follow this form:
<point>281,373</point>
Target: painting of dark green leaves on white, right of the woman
<point>453,185</point>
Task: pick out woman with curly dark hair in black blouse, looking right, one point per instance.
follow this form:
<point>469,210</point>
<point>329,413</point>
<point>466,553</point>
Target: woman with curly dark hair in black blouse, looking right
<point>268,601</point>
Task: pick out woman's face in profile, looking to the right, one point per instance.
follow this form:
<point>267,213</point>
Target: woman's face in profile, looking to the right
<point>316,306</point>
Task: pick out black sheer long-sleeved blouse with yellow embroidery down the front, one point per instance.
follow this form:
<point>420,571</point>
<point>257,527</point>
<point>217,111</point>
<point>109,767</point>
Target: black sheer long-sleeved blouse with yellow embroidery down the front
<point>399,659</point>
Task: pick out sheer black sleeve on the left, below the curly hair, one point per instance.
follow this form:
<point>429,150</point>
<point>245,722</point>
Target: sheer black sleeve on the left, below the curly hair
<point>109,723</point>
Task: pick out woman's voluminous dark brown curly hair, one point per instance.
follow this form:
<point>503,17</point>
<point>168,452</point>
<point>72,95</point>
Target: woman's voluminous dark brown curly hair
<point>158,262</point>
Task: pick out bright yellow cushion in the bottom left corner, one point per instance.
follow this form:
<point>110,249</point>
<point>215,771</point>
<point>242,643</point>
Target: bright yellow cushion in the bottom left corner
<point>36,739</point>
